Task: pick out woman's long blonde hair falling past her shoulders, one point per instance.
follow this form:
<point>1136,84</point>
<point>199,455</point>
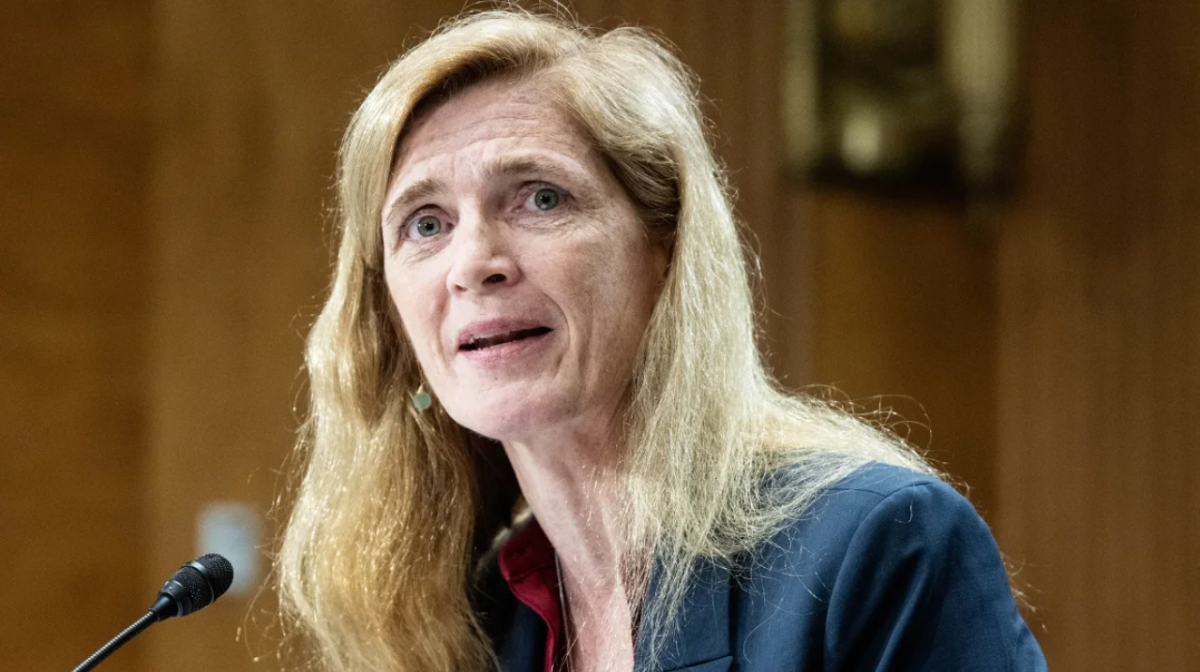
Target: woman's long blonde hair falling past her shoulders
<point>395,506</point>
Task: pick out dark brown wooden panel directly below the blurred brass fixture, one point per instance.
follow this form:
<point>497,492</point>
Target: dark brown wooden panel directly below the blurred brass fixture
<point>903,321</point>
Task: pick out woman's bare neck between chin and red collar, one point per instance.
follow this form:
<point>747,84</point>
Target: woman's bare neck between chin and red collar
<point>571,482</point>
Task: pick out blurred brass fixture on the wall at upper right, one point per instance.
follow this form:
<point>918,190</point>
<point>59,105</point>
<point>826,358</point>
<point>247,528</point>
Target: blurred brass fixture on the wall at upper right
<point>902,93</point>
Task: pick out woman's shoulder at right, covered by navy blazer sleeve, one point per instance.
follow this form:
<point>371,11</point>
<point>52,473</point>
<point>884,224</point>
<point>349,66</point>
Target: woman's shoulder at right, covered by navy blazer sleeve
<point>886,566</point>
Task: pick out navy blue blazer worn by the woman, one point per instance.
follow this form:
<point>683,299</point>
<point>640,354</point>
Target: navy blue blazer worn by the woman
<point>890,571</point>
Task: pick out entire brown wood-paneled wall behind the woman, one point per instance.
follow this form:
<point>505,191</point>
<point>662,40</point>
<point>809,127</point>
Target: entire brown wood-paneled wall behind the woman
<point>165,185</point>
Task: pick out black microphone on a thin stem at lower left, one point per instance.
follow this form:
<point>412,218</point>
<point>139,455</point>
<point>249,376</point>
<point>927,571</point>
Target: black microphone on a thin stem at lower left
<point>196,586</point>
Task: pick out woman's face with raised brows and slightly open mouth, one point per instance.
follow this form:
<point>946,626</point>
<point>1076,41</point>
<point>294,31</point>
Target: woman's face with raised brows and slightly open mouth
<point>519,266</point>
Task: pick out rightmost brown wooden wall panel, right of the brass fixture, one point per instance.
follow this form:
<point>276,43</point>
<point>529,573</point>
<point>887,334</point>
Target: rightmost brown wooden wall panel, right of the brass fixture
<point>1100,338</point>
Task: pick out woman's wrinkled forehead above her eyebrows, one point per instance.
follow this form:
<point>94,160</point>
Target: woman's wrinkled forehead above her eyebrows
<point>488,121</point>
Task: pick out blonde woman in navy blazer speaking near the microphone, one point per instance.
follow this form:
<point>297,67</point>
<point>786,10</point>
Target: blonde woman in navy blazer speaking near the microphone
<point>541,297</point>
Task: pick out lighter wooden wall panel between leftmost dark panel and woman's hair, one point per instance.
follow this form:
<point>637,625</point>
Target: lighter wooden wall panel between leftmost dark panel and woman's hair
<point>253,101</point>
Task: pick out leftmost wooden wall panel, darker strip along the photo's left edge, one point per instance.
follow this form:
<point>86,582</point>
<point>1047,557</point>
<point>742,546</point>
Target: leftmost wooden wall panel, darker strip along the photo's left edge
<point>75,143</point>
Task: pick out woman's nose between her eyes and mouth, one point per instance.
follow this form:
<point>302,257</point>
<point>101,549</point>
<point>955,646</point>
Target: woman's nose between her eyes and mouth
<point>483,260</point>
